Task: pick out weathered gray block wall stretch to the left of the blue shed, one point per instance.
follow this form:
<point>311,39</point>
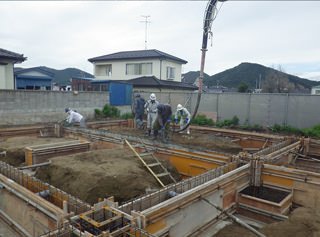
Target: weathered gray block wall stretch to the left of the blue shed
<point>30,107</point>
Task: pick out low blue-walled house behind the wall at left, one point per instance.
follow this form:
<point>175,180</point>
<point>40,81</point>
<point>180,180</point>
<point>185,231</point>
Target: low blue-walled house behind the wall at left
<point>33,79</point>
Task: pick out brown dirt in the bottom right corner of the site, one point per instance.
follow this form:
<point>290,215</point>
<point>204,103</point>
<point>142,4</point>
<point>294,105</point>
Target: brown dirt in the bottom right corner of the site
<point>302,222</point>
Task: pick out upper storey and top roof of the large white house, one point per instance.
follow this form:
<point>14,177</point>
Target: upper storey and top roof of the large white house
<point>133,64</point>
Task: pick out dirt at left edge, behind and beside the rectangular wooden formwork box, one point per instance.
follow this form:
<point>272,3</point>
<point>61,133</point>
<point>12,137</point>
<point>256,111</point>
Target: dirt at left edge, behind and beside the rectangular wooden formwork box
<point>15,147</point>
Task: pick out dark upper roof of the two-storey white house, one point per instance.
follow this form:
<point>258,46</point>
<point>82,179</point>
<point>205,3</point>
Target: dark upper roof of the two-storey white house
<point>138,54</point>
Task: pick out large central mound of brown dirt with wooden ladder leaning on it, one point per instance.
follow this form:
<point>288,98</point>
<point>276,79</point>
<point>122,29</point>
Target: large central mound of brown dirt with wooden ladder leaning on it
<point>101,174</point>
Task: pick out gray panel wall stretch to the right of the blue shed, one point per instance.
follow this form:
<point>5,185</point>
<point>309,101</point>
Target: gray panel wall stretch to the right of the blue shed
<point>296,110</point>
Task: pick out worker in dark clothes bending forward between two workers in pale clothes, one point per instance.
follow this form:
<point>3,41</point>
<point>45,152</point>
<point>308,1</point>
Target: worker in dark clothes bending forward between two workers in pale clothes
<point>163,121</point>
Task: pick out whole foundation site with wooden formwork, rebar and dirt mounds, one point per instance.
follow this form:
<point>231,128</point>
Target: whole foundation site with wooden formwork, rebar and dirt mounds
<point>112,180</point>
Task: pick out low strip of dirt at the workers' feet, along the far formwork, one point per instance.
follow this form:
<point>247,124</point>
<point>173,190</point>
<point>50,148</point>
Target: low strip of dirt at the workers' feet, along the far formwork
<point>193,140</point>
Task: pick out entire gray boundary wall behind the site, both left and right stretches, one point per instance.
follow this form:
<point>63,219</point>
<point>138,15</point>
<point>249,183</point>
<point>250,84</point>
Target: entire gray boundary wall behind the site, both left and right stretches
<point>30,107</point>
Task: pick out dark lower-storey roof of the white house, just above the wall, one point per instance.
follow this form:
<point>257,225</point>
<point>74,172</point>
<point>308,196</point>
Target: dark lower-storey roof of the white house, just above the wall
<point>152,81</point>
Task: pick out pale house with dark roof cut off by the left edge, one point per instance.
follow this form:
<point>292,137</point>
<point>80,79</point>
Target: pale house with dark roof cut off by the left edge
<point>7,61</point>
